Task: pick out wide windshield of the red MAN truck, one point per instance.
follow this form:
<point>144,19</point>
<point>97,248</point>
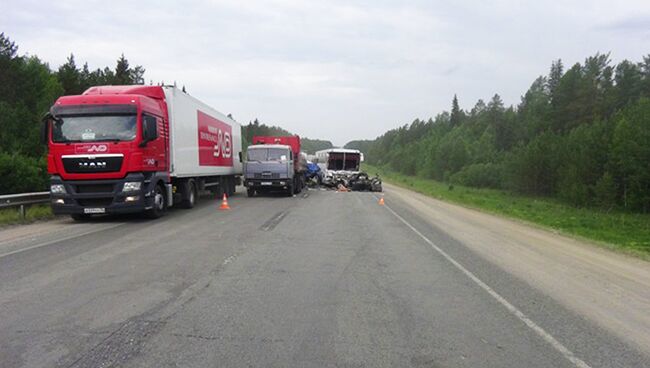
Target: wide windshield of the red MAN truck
<point>94,128</point>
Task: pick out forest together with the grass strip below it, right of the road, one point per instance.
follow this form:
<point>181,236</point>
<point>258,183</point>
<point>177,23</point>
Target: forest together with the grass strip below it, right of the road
<point>573,155</point>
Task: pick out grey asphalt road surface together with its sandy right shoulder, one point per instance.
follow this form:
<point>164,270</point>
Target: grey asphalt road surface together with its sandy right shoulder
<point>324,279</point>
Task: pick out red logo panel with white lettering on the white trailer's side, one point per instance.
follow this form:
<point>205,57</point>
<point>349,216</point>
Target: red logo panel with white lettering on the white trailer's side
<point>215,141</point>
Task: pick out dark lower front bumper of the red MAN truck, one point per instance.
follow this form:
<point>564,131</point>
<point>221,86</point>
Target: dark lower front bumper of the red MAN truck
<point>101,196</point>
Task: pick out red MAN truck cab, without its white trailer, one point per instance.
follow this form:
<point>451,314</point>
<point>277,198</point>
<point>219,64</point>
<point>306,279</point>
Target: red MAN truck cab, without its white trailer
<point>109,151</point>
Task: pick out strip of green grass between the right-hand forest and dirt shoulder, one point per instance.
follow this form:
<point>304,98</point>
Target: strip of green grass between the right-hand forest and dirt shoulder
<point>621,231</point>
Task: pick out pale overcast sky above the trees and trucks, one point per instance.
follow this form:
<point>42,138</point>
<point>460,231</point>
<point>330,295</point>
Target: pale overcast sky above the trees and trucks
<point>337,70</point>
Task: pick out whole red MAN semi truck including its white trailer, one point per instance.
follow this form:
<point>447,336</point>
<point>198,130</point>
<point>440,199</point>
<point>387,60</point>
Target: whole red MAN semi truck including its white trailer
<point>126,149</point>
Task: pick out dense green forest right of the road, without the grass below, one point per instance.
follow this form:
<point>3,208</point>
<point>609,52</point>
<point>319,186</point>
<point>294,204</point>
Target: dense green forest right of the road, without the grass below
<point>581,135</point>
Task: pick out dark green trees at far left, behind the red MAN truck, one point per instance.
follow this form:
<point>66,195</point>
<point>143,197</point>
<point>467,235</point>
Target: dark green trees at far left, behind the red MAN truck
<point>28,87</point>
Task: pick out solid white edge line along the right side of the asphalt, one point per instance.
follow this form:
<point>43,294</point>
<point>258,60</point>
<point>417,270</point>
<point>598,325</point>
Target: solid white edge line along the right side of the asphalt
<point>568,354</point>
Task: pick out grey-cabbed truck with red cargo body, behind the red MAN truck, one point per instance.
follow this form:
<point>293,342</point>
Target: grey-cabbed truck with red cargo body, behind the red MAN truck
<point>274,163</point>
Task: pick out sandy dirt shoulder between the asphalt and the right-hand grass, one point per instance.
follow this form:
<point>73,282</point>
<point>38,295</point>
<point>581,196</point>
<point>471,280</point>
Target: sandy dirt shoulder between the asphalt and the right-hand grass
<point>610,289</point>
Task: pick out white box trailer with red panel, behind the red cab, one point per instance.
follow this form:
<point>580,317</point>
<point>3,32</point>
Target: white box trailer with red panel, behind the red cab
<point>203,141</point>
